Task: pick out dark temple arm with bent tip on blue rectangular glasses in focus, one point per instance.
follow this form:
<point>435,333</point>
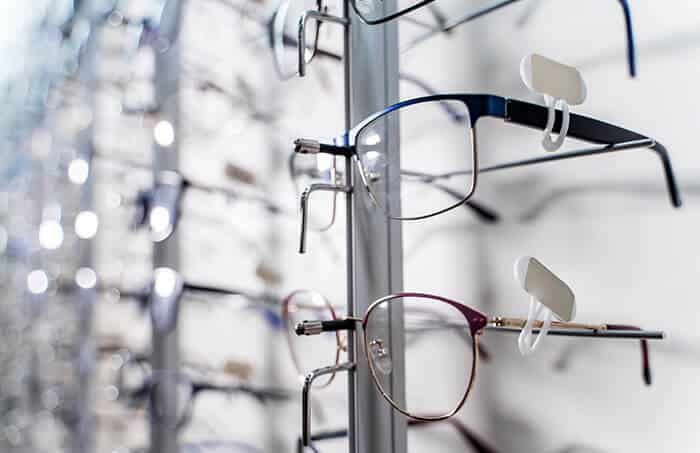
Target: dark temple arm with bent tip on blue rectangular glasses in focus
<point>613,138</point>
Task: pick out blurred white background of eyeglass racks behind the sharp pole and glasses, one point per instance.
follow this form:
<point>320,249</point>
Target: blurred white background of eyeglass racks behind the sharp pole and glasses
<point>89,104</point>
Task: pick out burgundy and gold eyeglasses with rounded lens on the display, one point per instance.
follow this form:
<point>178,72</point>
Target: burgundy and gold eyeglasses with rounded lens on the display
<point>445,353</point>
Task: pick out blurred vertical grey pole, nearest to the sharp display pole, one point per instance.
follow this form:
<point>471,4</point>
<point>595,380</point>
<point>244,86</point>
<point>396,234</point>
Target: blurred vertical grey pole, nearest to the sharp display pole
<point>165,353</point>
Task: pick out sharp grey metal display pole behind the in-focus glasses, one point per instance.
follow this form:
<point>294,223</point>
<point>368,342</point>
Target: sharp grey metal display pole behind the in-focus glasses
<point>375,266</point>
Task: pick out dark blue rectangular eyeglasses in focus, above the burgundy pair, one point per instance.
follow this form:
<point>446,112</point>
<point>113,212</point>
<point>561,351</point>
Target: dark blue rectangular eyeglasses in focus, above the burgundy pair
<point>458,165</point>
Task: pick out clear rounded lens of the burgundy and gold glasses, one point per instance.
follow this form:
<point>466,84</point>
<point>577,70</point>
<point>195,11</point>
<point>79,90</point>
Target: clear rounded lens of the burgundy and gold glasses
<point>438,355</point>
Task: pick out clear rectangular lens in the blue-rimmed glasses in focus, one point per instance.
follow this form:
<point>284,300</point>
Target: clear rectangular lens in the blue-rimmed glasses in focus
<point>436,168</point>
